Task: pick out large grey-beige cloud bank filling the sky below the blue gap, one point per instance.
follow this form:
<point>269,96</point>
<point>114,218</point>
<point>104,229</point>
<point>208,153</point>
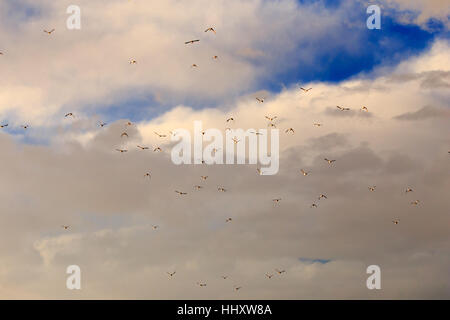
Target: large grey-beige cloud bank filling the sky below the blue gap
<point>78,179</point>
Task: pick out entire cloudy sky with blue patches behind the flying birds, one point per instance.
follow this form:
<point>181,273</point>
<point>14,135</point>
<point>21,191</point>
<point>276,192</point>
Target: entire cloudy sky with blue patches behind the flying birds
<point>67,170</point>
